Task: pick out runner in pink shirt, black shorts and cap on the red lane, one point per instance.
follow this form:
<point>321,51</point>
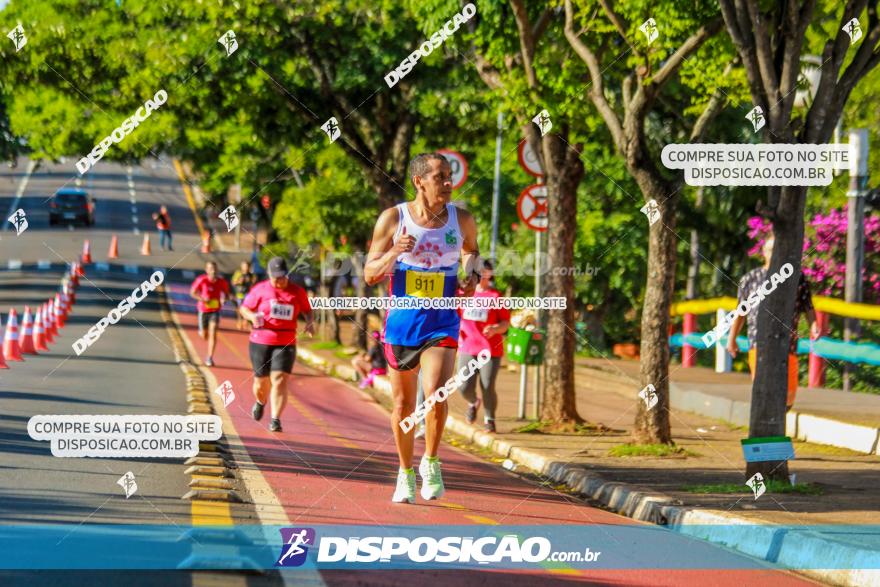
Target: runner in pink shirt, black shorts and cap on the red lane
<point>272,307</point>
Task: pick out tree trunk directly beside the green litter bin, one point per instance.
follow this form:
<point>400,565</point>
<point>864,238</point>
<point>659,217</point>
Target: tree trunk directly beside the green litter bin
<point>559,392</point>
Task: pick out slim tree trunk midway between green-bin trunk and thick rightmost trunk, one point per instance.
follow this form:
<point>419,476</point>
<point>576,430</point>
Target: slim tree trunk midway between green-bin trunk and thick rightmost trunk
<point>652,426</point>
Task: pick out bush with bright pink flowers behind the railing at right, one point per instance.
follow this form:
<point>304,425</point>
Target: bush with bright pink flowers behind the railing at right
<point>824,261</point>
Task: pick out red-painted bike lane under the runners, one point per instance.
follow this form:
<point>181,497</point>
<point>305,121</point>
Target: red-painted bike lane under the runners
<point>335,463</point>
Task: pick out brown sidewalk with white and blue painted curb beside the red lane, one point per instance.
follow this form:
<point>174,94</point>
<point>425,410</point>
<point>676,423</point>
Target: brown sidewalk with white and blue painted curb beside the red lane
<point>664,490</point>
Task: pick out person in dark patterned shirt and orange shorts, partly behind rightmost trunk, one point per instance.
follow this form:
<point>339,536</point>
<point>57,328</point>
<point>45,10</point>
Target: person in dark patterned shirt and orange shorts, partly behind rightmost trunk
<point>750,282</point>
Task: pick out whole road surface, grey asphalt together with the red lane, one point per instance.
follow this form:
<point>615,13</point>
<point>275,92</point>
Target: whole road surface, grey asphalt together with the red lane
<point>333,464</point>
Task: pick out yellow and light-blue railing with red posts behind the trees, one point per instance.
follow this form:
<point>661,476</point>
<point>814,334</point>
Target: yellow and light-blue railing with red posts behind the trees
<point>819,350</point>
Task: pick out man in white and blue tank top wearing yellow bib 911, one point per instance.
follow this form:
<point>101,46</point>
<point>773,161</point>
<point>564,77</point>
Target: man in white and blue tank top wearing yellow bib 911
<point>419,244</point>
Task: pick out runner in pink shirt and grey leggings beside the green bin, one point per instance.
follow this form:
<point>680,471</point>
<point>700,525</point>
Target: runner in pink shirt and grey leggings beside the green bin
<point>482,329</point>
